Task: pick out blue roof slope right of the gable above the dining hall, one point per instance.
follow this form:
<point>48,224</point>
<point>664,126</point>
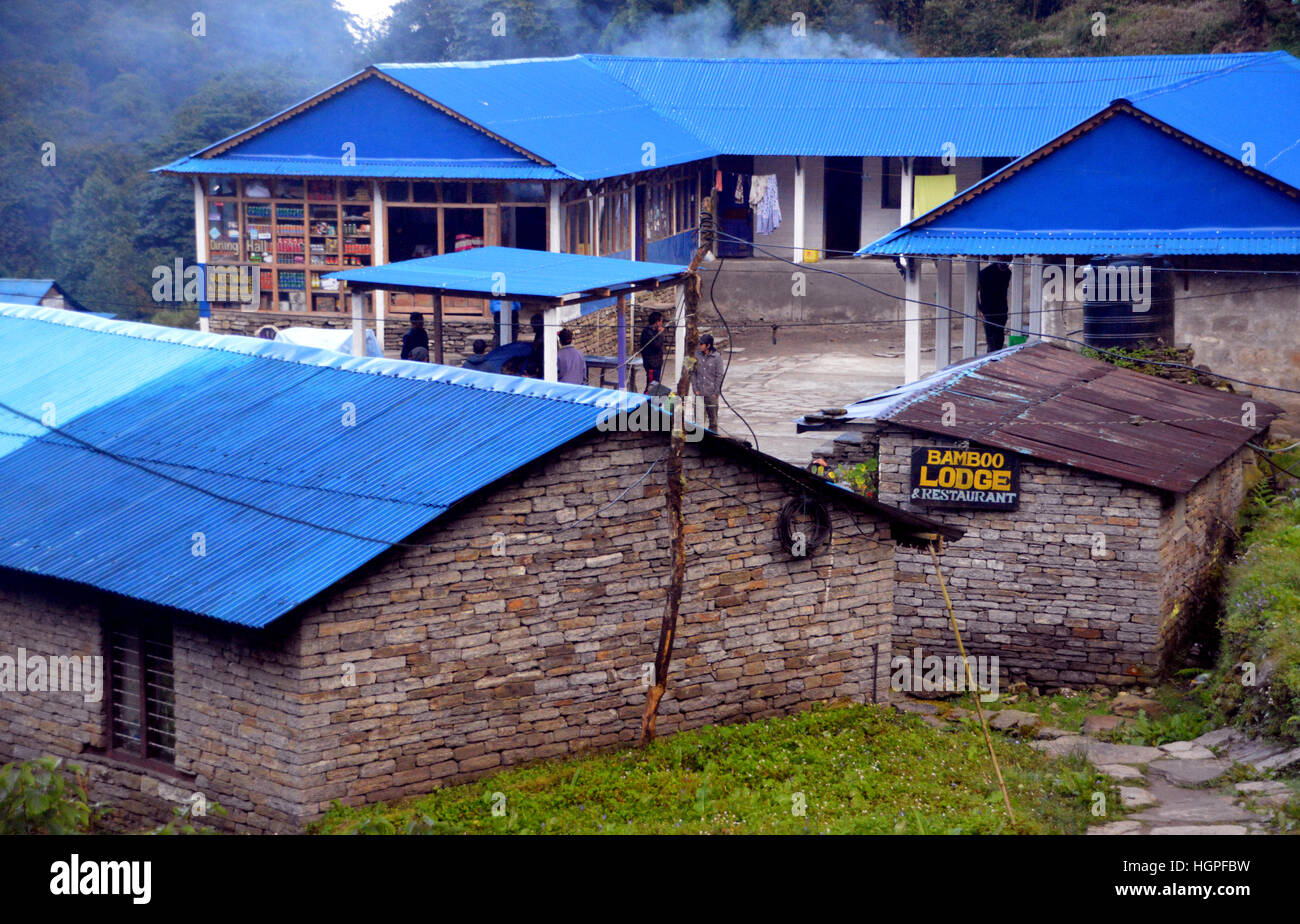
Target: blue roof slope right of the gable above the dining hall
<point>564,110</point>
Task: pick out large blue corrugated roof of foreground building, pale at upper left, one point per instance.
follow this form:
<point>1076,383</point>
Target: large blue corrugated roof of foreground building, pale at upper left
<point>276,483</point>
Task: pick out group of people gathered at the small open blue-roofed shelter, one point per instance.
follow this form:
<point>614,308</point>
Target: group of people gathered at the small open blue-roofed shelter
<point>707,379</point>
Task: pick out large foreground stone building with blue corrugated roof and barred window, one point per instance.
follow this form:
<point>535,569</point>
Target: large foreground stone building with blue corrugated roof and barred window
<point>317,578</point>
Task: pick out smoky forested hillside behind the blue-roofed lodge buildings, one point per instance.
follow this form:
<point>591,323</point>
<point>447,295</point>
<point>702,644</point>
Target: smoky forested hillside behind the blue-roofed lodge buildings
<point>98,93</point>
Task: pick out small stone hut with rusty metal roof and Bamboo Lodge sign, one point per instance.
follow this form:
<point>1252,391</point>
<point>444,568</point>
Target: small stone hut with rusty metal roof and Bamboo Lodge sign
<point>1121,494</point>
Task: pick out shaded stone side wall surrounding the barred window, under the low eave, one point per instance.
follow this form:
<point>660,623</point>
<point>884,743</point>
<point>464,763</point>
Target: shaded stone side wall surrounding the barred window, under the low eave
<point>236,710</point>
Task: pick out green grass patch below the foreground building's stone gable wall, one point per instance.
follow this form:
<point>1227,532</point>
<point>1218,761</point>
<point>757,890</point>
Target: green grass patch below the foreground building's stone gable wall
<point>857,770</point>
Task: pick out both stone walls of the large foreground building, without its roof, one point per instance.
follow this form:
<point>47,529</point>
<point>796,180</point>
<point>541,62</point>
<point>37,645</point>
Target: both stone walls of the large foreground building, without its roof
<point>445,662</point>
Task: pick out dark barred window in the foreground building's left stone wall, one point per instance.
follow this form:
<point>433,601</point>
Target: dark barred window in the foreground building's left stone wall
<point>142,691</point>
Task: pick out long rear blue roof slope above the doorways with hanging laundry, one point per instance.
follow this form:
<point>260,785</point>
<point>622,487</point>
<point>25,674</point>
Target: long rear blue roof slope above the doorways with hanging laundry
<point>895,107</point>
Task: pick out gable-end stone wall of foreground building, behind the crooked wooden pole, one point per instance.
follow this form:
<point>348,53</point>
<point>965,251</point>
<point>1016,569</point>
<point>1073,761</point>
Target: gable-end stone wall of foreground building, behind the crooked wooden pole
<point>469,662</point>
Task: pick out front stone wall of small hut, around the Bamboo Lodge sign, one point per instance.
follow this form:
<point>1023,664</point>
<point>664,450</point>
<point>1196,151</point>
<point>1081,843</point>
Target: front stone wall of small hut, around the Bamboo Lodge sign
<point>1035,587</point>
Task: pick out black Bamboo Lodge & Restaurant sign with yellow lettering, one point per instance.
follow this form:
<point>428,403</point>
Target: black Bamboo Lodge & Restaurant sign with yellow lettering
<point>960,478</point>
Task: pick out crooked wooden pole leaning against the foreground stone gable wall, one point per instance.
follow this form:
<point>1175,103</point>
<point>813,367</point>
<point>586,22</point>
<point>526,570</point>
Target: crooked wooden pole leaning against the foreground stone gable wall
<point>677,519</point>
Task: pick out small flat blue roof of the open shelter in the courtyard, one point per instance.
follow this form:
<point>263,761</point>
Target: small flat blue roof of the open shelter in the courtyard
<point>512,274</point>
